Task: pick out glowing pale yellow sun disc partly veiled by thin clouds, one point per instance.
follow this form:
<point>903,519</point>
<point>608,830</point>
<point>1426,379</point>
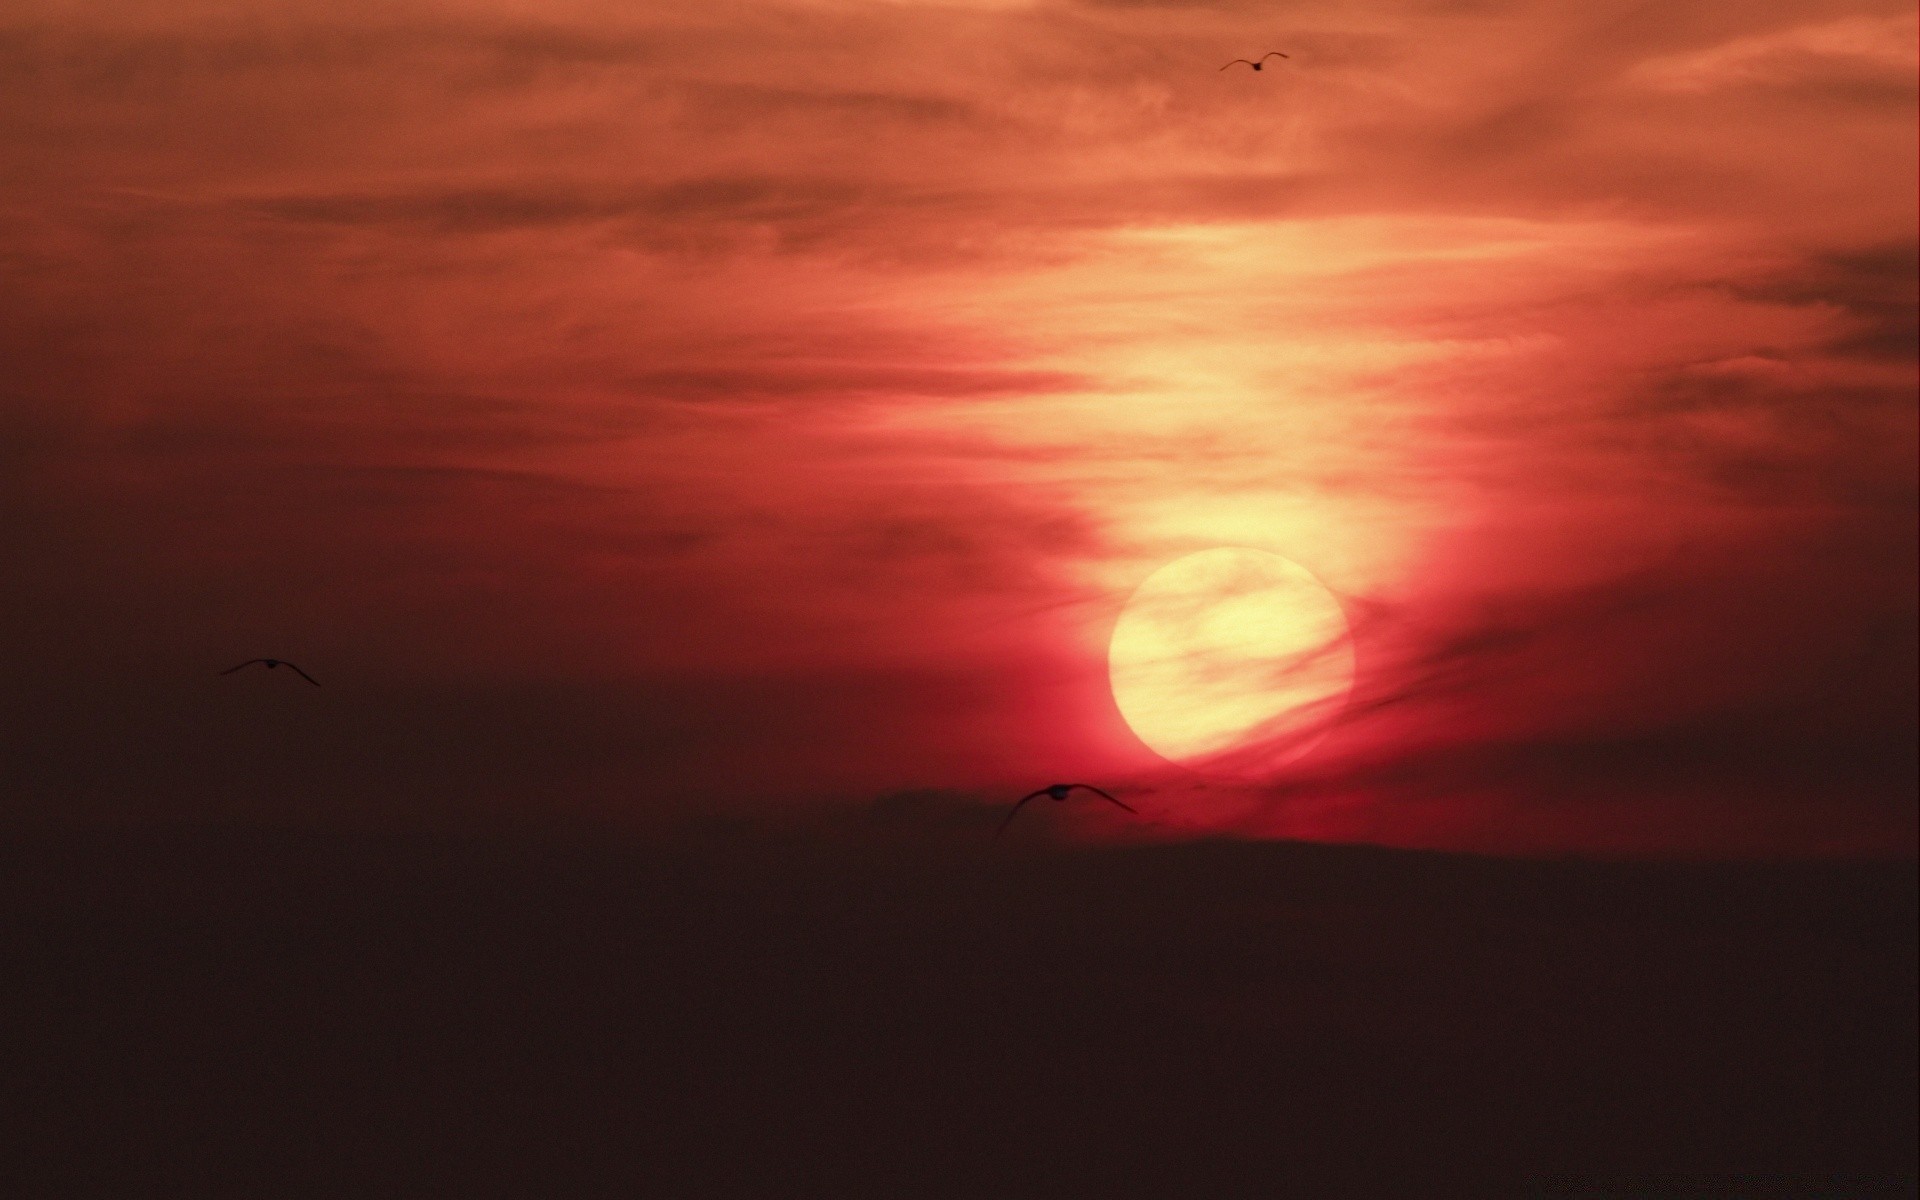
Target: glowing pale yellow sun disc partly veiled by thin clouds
<point>1232,661</point>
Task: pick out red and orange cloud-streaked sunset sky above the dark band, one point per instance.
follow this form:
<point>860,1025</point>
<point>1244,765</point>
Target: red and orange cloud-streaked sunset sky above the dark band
<point>765,410</point>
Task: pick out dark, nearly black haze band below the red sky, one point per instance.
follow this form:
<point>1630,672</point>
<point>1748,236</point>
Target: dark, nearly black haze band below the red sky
<point>243,1013</point>
